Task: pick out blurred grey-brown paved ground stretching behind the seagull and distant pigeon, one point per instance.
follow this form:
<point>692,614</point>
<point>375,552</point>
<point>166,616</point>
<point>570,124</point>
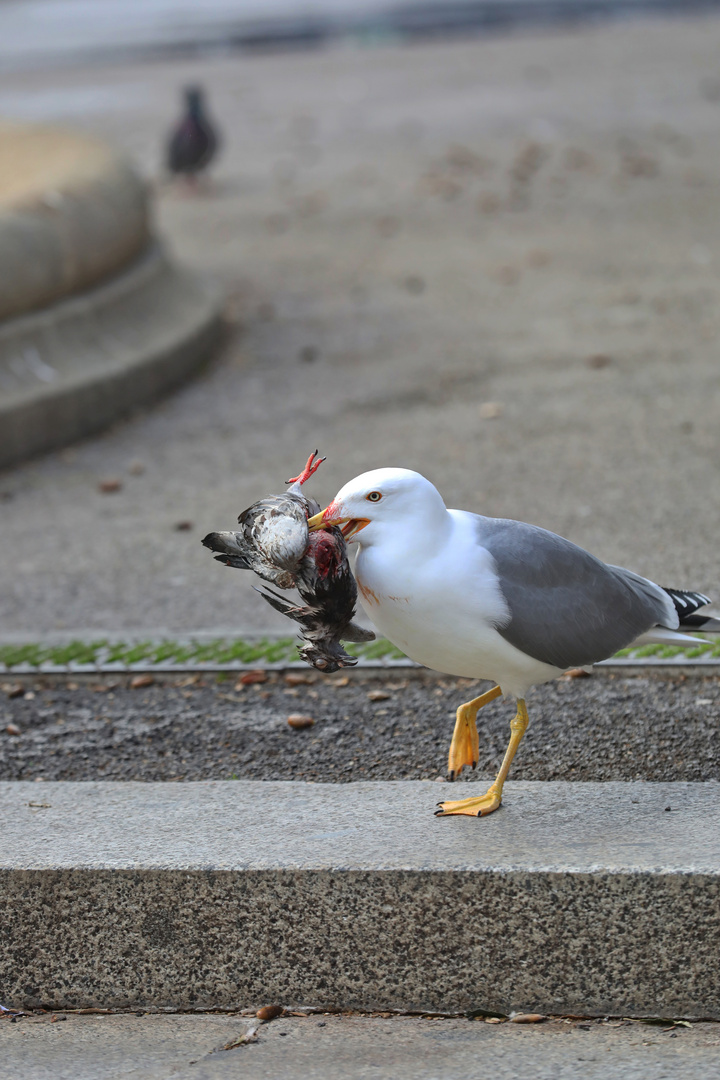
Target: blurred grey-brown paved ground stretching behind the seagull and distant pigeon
<point>497,262</point>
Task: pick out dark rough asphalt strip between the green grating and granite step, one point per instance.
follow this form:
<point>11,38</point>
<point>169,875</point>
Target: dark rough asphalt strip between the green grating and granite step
<point>608,727</point>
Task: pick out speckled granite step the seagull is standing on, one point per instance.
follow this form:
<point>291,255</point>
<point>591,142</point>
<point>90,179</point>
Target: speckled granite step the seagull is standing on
<point>574,899</point>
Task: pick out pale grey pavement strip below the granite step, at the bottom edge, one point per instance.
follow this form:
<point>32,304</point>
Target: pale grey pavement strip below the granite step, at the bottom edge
<point>351,1048</point>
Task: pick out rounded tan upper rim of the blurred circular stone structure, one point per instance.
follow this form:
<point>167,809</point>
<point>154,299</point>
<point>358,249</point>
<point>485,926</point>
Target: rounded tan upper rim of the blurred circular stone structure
<point>73,213</point>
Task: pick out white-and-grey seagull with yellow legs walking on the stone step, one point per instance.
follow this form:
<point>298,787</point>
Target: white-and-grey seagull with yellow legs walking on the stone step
<point>491,599</point>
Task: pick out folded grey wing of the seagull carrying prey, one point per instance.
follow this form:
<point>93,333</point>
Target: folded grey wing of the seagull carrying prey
<point>568,609</point>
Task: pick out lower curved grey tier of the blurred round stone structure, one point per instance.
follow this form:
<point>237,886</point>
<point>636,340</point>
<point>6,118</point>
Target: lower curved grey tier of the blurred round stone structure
<point>70,370</point>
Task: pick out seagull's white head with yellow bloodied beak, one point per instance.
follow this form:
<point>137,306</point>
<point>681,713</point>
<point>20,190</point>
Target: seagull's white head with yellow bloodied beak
<point>382,501</point>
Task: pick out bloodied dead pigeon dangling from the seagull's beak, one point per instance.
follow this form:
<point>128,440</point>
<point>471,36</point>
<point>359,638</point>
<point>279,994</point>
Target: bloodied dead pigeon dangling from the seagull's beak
<point>275,543</point>
